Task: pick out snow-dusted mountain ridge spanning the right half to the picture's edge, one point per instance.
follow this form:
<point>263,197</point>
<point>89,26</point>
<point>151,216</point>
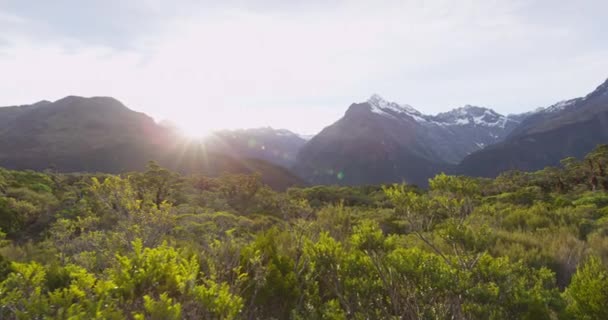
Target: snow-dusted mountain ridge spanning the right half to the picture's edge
<point>417,146</point>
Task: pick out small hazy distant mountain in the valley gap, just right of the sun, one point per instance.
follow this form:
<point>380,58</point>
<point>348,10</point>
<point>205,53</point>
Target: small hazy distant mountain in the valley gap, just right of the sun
<point>279,147</point>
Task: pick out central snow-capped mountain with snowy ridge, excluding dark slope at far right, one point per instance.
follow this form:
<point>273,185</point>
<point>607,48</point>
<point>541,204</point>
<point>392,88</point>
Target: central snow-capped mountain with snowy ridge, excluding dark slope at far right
<point>378,141</point>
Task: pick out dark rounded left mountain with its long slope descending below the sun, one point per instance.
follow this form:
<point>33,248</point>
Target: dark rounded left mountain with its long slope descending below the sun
<point>100,134</point>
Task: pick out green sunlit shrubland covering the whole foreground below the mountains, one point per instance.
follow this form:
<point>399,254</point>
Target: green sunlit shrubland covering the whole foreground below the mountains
<point>156,245</point>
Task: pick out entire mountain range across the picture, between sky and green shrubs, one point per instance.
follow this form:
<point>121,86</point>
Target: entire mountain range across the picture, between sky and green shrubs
<point>376,141</point>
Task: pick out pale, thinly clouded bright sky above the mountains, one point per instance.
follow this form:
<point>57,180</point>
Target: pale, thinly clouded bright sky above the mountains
<point>298,65</point>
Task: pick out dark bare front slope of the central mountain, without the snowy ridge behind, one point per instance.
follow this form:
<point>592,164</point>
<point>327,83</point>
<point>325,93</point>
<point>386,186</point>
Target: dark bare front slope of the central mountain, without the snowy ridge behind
<point>365,148</point>
